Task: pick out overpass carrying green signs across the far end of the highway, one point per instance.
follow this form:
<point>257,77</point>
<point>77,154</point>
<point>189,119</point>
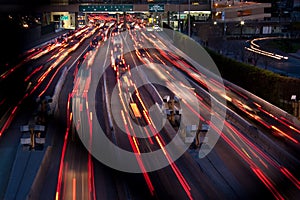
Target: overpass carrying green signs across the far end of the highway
<point>74,15</point>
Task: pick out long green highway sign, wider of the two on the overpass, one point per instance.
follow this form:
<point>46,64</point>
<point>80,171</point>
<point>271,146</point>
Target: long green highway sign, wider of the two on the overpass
<point>106,8</point>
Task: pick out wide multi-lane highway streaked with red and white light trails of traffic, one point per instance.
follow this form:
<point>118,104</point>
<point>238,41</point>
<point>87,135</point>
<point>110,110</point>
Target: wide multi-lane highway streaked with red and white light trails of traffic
<point>137,114</point>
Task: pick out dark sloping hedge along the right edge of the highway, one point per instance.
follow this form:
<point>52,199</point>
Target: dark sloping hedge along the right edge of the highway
<point>268,85</point>
